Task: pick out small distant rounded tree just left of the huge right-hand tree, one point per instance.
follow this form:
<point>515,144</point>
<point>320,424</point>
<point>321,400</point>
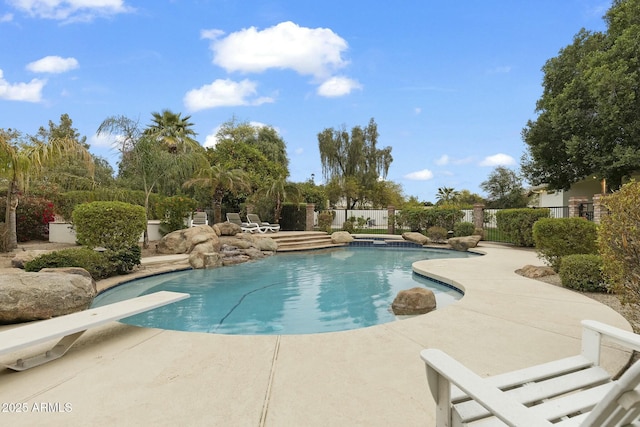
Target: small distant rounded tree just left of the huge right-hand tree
<point>504,188</point>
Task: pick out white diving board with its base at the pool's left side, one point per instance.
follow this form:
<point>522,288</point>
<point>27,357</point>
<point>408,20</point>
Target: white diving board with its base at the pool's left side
<point>71,326</point>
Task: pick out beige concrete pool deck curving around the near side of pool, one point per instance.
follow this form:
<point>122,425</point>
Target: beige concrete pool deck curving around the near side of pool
<point>126,375</point>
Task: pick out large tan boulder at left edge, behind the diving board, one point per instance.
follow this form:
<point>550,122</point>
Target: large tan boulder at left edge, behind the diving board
<point>48,293</point>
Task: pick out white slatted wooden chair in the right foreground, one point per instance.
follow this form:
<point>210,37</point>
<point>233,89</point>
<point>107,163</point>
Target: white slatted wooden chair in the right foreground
<point>574,391</point>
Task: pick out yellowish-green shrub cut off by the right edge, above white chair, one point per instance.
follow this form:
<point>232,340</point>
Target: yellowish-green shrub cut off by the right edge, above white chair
<point>619,242</point>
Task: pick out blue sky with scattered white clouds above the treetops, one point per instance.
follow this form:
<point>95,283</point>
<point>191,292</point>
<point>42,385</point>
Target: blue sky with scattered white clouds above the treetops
<point>450,84</point>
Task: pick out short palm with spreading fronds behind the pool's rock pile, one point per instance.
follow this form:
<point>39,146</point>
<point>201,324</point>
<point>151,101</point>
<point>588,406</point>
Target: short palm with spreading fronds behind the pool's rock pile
<point>219,182</point>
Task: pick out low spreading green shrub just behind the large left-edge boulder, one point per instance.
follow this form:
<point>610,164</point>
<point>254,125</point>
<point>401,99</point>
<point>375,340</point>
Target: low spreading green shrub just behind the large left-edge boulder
<point>99,264</point>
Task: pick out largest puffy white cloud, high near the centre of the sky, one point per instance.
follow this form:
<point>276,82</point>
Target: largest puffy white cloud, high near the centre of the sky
<point>308,51</point>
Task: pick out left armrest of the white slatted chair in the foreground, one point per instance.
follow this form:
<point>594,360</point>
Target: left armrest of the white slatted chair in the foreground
<point>442,367</point>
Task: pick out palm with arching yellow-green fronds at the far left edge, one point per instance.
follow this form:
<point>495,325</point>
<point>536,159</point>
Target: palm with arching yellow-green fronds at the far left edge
<point>22,161</point>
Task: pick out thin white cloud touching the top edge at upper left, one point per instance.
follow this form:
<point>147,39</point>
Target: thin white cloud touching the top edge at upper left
<point>71,10</point>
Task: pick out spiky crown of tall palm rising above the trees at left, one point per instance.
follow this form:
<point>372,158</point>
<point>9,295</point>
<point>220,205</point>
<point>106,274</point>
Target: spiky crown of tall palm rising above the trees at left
<point>173,131</point>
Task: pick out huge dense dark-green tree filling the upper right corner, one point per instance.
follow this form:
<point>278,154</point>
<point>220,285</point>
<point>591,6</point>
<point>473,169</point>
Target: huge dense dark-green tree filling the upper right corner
<point>587,122</point>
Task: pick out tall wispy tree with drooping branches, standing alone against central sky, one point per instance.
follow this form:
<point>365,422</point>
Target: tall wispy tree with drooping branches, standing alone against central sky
<point>351,162</point>
